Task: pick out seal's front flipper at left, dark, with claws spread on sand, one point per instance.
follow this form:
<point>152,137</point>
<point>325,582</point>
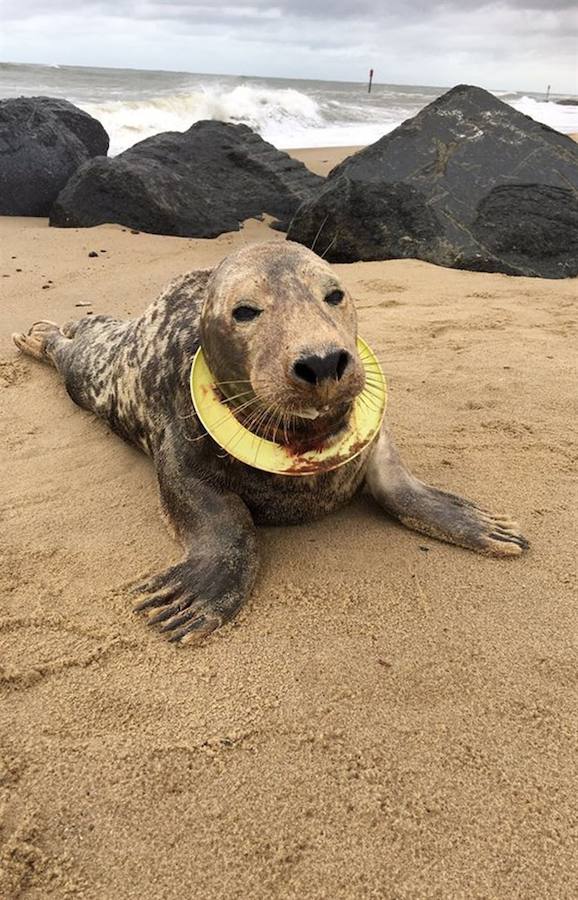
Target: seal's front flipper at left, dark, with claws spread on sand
<point>209,586</point>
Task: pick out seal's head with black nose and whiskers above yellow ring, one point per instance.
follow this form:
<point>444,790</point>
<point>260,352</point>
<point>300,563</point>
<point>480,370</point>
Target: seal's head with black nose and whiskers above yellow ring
<point>279,333</point>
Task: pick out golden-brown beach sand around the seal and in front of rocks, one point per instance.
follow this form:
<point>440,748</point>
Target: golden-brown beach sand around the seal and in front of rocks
<point>389,717</point>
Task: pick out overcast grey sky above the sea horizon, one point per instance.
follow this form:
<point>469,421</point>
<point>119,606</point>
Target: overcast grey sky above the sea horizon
<point>512,44</point>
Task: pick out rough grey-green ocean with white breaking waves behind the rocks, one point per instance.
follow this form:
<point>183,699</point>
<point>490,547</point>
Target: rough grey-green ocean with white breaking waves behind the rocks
<point>134,104</point>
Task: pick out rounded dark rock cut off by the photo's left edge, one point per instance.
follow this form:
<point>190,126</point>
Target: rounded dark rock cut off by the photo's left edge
<point>43,141</point>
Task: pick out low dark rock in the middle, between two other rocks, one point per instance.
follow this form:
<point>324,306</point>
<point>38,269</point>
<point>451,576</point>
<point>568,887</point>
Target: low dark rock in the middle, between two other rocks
<point>199,183</point>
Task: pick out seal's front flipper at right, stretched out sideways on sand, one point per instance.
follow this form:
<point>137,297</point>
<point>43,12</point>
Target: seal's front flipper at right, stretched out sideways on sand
<point>438,513</point>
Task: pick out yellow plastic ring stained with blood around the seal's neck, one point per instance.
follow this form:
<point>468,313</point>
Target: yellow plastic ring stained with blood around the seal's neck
<point>226,429</point>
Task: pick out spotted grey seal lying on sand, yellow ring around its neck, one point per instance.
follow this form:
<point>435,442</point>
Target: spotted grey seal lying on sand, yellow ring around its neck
<point>278,334</point>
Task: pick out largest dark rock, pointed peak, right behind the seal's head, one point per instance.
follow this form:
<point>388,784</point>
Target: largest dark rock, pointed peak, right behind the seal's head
<point>469,182</point>
